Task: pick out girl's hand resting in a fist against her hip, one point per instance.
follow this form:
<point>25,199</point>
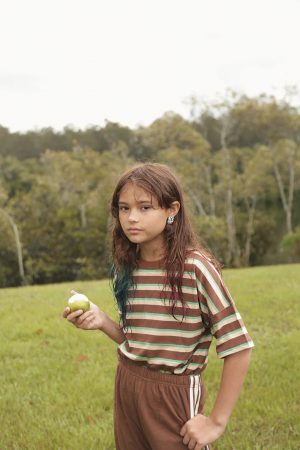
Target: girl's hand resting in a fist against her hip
<point>200,431</point>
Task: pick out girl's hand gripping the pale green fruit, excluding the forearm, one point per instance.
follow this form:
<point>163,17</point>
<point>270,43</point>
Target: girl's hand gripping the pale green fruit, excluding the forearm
<point>90,320</point>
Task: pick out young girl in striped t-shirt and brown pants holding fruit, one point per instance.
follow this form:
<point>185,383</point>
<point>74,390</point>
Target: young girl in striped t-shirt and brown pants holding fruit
<point>172,301</point>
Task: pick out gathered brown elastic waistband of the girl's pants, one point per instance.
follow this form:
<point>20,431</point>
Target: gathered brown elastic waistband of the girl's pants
<point>149,374</point>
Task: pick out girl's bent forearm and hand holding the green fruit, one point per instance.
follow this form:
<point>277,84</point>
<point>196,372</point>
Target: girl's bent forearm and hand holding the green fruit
<point>95,319</point>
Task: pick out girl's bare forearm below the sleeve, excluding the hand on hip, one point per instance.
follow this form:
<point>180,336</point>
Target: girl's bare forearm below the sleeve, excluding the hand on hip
<point>233,375</point>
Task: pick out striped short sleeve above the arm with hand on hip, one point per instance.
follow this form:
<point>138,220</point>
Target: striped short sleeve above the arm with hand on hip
<point>219,310</point>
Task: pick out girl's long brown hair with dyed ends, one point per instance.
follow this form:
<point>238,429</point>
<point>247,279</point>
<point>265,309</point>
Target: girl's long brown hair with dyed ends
<point>180,239</point>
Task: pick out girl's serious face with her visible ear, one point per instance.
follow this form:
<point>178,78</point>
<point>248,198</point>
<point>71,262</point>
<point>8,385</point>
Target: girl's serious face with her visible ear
<point>142,219</point>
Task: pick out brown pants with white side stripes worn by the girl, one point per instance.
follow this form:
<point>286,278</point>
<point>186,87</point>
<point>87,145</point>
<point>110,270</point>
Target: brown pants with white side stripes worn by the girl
<point>151,407</point>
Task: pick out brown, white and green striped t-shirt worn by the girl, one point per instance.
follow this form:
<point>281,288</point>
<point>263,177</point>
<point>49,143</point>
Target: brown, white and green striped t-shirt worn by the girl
<point>160,341</point>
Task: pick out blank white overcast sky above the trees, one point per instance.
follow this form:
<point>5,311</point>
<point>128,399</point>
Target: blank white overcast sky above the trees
<point>79,62</point>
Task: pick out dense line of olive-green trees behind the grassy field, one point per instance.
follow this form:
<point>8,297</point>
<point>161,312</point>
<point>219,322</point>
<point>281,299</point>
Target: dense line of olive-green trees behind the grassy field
<point>238,161</point>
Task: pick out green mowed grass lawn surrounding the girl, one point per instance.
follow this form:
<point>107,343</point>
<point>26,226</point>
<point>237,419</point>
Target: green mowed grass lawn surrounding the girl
<point>56,382</point>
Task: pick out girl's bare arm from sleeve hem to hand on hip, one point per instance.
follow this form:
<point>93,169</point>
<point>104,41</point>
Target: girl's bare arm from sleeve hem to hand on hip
<point>202,430</point>
